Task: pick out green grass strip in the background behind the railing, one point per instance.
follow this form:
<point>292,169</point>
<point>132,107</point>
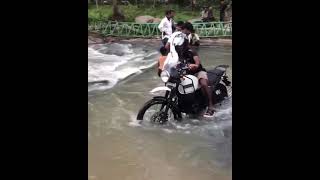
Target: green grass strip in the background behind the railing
<point>132,11</point>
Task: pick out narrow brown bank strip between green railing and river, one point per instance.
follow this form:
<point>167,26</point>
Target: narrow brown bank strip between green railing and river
<point>95,38</point>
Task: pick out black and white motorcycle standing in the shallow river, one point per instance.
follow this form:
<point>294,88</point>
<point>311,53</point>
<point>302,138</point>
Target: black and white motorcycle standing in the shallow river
<point>183,94</point>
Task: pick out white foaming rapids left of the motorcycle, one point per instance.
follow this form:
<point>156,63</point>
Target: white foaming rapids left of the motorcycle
<point>113,62</point>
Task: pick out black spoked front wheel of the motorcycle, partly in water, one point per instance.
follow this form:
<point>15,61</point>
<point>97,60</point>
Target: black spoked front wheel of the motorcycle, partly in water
<point>153,113</point>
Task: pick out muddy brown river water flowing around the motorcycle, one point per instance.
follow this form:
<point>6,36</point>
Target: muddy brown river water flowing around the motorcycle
<point>120,77</point>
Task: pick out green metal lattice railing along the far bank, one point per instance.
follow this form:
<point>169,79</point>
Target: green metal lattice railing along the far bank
<point>149,30</point>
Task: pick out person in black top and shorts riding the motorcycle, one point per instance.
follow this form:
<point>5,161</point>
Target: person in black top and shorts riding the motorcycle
<point>184,52</point>
